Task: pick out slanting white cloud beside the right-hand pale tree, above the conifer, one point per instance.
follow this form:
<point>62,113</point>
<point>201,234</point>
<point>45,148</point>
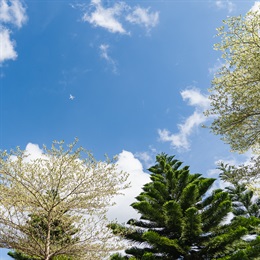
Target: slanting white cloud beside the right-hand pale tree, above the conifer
<point>180,140</point>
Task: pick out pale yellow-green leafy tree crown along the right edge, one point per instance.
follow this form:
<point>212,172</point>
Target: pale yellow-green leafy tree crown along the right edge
<point>236,86</point>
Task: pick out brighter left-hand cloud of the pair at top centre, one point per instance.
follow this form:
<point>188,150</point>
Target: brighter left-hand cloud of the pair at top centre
<point>106,18</point>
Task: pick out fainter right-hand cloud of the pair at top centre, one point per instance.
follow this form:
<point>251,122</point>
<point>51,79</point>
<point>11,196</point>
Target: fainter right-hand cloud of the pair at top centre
<point>143,17</point>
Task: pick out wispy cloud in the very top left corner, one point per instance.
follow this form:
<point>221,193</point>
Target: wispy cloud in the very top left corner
<point>13,12</point>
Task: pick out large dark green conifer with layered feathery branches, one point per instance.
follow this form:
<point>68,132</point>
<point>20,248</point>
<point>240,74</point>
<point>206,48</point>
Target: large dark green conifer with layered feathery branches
<point>178,220</point>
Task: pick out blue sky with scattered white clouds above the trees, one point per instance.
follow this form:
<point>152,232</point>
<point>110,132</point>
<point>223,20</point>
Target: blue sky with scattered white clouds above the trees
<point>125,77</point>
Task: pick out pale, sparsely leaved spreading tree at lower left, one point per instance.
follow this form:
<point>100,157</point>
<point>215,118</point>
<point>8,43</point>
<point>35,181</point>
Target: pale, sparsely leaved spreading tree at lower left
<point>67,189</point>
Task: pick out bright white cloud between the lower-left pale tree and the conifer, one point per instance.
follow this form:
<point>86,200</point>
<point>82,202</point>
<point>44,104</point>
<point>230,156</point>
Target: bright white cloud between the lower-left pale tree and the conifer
<point>122,211</point>
